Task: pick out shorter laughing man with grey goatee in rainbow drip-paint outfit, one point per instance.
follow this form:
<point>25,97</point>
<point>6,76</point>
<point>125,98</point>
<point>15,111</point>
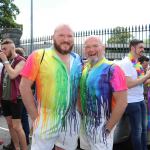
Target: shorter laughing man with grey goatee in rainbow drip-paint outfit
<point>103,93</point>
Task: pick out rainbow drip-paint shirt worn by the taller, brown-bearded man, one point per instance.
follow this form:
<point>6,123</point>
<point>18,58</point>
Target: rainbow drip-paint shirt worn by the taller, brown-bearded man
<point>56,87</point>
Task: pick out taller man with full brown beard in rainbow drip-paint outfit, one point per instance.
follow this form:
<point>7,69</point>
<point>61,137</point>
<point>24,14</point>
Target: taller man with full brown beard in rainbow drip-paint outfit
<point>57,72</point>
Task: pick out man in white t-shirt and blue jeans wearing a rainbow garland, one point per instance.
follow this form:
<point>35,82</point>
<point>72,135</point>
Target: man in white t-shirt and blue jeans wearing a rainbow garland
<point>136,109</point>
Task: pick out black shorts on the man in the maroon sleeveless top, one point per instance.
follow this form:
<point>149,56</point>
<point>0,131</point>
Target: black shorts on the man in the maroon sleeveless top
<point>12,109</point>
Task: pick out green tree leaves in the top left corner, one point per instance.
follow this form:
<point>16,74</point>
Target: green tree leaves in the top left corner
<point>8,13</point>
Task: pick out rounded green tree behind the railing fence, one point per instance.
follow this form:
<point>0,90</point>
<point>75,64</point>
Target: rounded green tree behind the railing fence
<point>120,35</point>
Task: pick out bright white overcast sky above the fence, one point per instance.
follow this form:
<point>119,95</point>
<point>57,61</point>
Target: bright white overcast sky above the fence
<point>81,14</point>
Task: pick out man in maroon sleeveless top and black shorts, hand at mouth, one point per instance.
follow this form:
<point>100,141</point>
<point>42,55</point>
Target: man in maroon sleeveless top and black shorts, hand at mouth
<point>10,95</point>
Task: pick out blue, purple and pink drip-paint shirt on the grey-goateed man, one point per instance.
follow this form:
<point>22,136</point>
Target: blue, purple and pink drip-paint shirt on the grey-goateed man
<point>97,85</point>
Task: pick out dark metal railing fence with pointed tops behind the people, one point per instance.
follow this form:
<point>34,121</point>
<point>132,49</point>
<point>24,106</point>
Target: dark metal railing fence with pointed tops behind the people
<point>116,40</point>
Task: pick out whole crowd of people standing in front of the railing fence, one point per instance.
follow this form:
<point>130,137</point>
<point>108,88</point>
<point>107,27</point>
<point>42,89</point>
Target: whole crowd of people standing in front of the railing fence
<point>73,99</point>
